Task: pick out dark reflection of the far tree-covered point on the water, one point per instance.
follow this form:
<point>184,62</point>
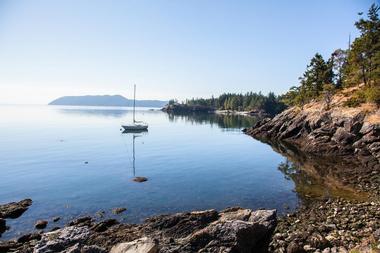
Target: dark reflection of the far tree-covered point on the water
<point>227,122</point>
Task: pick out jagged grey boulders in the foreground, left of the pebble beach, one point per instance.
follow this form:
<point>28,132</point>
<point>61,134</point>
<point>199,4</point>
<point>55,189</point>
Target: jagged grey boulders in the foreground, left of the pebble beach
<point>231,230</point>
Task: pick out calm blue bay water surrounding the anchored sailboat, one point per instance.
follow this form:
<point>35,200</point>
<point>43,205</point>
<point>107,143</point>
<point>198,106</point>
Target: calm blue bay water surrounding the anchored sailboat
<point>74,161</point>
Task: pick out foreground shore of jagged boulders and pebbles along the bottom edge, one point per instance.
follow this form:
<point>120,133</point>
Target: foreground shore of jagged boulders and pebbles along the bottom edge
<point>319,225</point>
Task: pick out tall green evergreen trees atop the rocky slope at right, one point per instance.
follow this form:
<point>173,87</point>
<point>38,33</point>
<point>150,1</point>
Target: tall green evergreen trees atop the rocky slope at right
<point>359,64</point>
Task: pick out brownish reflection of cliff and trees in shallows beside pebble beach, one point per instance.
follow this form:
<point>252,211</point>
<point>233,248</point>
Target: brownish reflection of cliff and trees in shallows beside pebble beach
<point>318,177</point>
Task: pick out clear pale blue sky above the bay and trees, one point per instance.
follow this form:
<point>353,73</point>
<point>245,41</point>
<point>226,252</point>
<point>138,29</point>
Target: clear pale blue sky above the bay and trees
<point>168,48</point>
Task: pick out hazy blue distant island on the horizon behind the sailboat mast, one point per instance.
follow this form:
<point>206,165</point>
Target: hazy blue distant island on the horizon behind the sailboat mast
<point>105,100</point>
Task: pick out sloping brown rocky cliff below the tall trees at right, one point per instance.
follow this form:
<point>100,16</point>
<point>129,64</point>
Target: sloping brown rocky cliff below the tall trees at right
<point>338,131</point>
